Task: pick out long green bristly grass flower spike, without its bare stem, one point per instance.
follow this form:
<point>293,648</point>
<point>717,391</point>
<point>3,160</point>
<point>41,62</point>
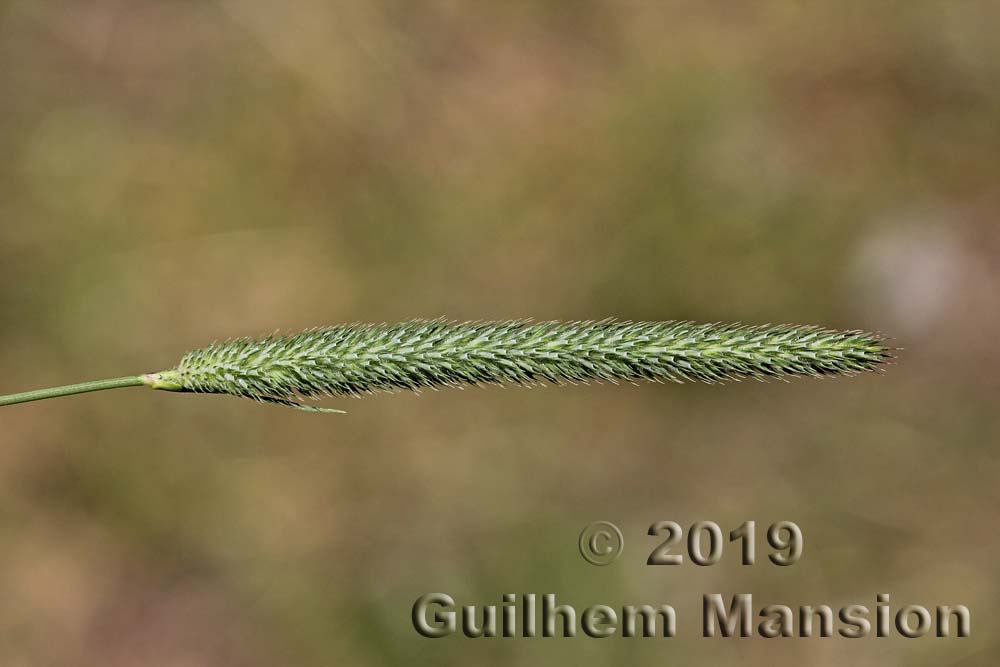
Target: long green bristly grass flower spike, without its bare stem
<point>362,358</point>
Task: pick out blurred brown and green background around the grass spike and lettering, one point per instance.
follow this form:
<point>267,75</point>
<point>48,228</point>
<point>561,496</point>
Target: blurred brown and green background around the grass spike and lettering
<point>177,172</point>
